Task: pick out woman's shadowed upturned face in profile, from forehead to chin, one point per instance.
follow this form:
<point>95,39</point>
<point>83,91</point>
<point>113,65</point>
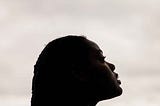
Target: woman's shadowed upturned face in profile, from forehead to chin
<point>101,75</point>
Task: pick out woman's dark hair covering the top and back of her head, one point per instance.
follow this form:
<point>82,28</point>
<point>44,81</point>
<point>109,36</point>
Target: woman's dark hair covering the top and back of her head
<point>54,65</point>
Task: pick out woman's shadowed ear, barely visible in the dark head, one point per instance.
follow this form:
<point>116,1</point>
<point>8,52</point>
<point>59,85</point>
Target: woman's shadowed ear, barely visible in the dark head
<point>80,74</point>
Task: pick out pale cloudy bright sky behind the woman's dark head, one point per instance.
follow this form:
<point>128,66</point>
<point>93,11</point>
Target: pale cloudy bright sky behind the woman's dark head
<point>128,31</point>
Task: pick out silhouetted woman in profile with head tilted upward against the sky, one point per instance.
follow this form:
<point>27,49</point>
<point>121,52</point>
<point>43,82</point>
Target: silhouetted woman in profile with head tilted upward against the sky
<point>72,71</point>
